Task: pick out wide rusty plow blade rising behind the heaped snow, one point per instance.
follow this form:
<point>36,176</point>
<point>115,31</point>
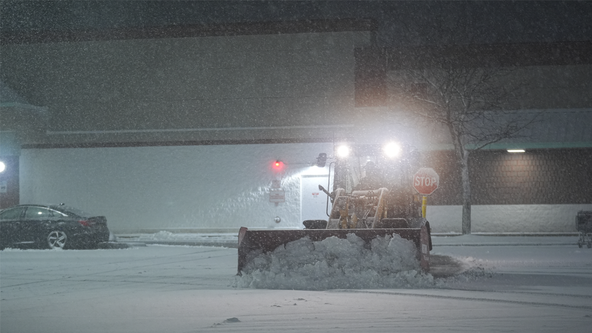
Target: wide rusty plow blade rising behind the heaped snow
<point>268,240</point>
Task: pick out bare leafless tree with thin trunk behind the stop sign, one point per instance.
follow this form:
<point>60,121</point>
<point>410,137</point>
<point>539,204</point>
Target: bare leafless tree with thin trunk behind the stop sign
<point>469,101</point>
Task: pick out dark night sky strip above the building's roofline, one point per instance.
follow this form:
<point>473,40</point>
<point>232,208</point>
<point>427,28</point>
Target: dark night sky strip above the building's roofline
<point>399,22</point>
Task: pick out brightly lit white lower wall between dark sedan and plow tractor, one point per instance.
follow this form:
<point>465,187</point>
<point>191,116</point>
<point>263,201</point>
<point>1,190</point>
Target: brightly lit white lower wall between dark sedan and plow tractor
<point>220,187</point>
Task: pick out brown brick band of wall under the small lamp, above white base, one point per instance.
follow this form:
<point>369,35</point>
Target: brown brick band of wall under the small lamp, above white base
<point>545,176</point>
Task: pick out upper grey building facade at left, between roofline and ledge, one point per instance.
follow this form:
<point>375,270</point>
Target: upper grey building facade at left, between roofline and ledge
<point>178,89</point>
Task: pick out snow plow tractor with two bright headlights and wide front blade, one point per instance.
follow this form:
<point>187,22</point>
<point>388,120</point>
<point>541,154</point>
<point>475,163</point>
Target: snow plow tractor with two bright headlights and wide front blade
<point>372,197</point>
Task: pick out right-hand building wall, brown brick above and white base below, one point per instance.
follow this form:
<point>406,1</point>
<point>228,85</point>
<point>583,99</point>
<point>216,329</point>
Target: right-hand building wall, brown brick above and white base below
<point>540,190</point>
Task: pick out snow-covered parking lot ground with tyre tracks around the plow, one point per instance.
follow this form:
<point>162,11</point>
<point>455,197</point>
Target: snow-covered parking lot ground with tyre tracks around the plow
<point>512,284</point>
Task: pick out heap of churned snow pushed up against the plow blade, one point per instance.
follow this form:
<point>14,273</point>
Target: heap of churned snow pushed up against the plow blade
<point>333,263</point>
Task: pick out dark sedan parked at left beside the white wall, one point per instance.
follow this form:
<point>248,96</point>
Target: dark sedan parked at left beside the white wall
<point>51,226</point>
